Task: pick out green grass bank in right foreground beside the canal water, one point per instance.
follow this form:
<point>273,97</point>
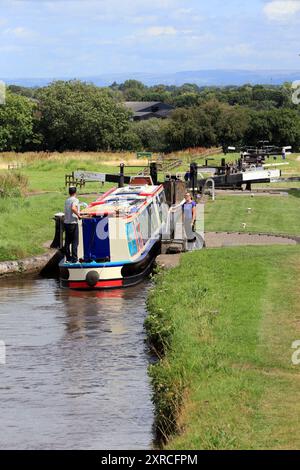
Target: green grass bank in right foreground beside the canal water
<point>225,321</point>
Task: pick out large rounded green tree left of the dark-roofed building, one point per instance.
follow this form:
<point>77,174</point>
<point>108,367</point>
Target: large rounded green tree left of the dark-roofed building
<point>76,115</point>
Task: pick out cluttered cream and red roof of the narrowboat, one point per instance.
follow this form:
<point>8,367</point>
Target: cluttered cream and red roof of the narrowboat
<point>122,202</point>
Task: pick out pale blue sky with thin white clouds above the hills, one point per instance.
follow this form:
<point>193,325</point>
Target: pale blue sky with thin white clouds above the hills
<point>42,38</point>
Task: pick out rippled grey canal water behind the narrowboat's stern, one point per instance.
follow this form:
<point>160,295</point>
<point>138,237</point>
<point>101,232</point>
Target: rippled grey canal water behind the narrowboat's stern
<point>76,368</point>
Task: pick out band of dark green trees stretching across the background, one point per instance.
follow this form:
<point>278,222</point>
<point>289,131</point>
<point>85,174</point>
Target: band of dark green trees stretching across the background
<point>74,115</point>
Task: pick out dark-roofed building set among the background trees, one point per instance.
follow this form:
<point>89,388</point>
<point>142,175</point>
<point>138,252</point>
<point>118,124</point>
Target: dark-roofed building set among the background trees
<point>143,110</point>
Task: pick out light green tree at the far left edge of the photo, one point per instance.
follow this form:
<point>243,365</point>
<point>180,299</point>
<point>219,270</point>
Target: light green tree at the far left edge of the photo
<point>16,123</point>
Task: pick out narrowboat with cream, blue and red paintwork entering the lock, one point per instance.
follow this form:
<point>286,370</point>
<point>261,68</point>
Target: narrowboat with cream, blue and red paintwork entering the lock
<point>119,237</point>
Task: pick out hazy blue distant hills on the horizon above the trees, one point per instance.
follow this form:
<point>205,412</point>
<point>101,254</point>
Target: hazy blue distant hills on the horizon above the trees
<point>199,77</point>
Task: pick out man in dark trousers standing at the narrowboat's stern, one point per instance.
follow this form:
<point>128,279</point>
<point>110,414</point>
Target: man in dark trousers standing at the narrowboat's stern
<point>72,216</point>
